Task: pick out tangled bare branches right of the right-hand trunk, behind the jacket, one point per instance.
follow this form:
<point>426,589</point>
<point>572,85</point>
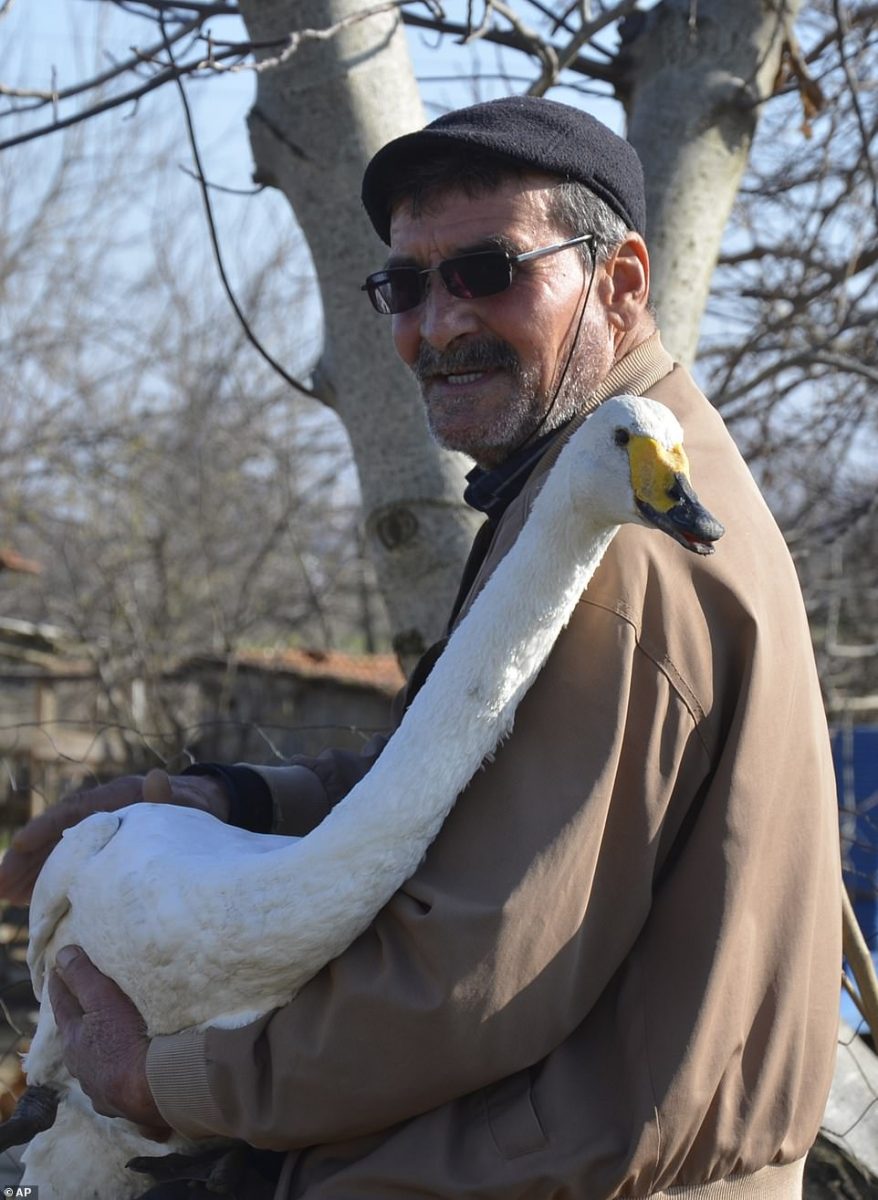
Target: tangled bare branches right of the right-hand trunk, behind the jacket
<point>790,349</point>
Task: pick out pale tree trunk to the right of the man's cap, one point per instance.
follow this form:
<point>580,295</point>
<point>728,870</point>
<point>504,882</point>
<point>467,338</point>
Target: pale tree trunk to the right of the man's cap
<point>696,73</point>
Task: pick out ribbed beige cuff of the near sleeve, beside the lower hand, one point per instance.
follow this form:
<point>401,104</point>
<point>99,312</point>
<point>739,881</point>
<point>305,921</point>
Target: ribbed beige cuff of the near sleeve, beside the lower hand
<point>177,1071</point>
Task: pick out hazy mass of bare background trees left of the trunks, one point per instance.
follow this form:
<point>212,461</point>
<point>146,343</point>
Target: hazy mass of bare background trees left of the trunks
<point>177,501</point>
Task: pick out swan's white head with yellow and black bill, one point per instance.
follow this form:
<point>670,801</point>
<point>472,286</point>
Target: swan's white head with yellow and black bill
<point>638,460</point>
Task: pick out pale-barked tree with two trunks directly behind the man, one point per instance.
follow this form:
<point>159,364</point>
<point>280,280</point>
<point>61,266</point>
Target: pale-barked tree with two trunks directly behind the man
<point>334,82</point>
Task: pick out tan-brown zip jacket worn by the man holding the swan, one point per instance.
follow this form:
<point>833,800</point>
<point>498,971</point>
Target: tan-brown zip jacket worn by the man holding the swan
<point>617,970</point>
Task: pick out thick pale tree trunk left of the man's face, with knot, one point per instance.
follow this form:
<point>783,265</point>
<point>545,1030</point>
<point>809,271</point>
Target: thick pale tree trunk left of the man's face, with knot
<point>317,121</point>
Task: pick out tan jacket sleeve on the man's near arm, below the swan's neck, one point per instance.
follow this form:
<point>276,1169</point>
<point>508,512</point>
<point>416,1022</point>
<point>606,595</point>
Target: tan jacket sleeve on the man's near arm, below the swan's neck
<point>503,940</point>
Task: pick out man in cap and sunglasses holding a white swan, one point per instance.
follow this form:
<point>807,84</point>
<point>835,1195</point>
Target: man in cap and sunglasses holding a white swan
<point>616,974</point>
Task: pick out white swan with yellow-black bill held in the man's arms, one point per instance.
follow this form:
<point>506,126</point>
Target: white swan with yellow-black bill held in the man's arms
<point>207,925</point>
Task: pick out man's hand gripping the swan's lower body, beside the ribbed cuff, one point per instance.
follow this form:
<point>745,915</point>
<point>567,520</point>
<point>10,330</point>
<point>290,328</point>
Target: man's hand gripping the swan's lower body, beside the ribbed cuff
<point>105,1041</point>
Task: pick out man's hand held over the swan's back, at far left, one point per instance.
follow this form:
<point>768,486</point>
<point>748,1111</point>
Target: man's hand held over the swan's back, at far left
<point>33,844</point>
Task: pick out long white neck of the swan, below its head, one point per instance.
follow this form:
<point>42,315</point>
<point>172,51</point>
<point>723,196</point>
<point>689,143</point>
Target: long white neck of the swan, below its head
<point>375,839</point>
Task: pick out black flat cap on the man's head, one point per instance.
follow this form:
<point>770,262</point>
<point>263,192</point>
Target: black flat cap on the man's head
<point>532,133</point>
